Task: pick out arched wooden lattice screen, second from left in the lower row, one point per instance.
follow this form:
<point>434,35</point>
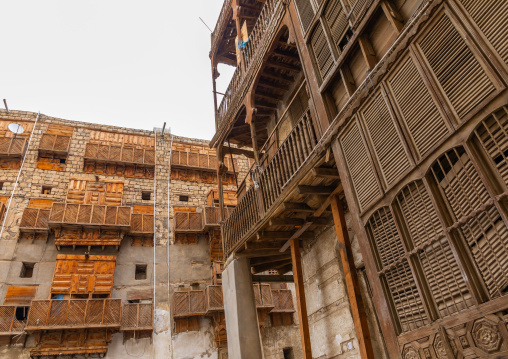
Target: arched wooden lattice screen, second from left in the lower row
<point>441,271</point>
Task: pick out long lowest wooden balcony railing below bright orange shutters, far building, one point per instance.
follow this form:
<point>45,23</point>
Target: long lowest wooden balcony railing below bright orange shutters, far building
<point>74,313</point>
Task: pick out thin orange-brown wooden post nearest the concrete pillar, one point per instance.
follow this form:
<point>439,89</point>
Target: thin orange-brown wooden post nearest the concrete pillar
<point>301,303</point>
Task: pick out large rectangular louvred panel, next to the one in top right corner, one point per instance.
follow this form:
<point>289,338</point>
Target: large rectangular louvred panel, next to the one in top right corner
<point>460,74</point>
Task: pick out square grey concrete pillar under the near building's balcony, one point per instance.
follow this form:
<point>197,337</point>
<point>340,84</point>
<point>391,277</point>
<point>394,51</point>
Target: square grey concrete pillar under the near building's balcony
<point>244,339</point>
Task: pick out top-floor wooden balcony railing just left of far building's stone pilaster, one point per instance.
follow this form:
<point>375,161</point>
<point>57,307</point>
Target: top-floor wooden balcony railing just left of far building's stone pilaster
<point>119,154</point>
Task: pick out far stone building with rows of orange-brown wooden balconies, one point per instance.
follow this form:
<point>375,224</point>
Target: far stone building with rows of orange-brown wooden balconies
<point>110,245</point>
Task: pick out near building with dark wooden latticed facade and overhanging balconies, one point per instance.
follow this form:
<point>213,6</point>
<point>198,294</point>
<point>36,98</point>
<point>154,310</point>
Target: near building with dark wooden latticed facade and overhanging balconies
<point>379,135</point>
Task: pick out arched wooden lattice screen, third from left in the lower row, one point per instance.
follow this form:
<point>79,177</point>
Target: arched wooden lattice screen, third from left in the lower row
<point>476,218</point>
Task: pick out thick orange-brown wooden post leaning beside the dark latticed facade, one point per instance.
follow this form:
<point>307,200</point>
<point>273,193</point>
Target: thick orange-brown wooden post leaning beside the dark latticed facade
<point>353,287</point>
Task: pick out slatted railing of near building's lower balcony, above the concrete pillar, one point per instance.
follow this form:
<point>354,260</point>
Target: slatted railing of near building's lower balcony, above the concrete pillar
<point>277,173</point>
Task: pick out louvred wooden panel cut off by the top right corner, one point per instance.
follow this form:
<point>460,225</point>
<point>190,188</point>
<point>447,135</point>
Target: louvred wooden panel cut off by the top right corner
<point>492,18</point>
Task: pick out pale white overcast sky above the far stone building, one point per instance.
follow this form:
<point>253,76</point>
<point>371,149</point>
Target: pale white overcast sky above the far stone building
<point>126,63</point>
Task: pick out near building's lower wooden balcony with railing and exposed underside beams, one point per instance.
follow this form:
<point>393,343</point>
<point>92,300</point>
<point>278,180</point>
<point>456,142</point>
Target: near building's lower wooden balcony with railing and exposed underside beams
<point>289,181</point>
